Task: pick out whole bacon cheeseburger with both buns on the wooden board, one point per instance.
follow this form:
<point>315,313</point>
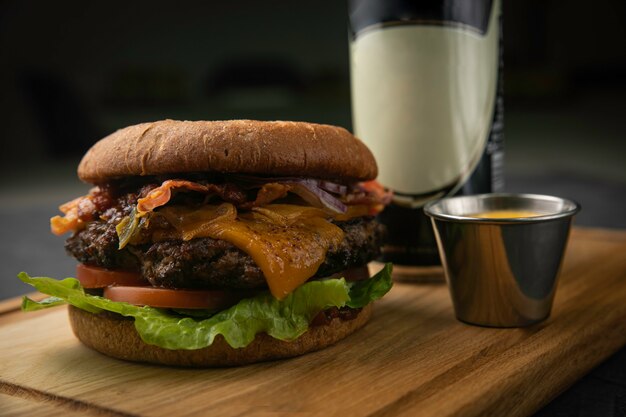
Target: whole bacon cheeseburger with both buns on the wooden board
<point>220,243</point>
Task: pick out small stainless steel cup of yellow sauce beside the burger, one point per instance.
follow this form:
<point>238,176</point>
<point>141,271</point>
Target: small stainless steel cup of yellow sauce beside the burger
<point>502,272</point>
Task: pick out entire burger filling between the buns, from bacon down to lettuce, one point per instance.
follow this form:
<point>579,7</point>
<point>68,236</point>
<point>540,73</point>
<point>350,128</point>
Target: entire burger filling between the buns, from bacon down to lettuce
<point>194,257</point>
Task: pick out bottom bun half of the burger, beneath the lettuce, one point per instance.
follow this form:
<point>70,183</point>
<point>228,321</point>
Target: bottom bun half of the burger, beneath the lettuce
<point>115,336</point>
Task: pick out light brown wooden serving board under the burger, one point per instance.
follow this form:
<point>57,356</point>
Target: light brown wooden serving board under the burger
<point>412,358</point>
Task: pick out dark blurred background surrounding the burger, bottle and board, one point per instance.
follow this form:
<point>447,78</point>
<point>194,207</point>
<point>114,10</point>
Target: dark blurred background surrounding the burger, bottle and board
<point>72,72</point>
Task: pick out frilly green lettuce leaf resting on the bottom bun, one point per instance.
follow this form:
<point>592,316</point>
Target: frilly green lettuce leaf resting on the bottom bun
<point>285,319</point>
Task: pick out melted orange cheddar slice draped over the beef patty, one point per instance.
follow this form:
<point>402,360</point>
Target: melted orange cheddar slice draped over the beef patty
<point>288,242</point>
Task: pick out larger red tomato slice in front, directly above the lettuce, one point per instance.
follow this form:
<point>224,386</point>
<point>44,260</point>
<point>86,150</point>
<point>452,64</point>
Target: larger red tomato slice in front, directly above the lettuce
<point>168,298</point>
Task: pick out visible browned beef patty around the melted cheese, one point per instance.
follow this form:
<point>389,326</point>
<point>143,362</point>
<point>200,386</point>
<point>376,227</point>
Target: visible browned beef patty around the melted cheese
<point>211,263</point>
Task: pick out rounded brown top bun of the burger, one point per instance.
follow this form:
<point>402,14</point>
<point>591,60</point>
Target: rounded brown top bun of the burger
<point>236,146</point>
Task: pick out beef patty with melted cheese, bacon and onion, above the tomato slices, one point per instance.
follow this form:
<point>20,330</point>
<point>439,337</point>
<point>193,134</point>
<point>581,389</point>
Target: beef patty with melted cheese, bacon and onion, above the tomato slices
<point>206,234</point>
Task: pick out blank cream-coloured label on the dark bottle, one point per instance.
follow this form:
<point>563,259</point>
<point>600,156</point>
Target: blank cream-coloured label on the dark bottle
<point>423,100</point>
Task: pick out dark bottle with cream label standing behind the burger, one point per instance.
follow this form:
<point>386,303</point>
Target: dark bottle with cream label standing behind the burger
<point>426,80</point>
